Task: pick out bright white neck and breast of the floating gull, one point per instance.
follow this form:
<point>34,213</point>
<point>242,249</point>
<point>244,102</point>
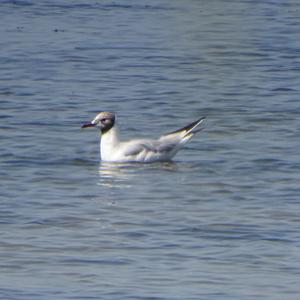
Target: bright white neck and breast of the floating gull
<point>109,141</point>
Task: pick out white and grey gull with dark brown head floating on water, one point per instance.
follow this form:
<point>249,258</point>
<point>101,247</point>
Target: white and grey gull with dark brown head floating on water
<point>112,149</point>
